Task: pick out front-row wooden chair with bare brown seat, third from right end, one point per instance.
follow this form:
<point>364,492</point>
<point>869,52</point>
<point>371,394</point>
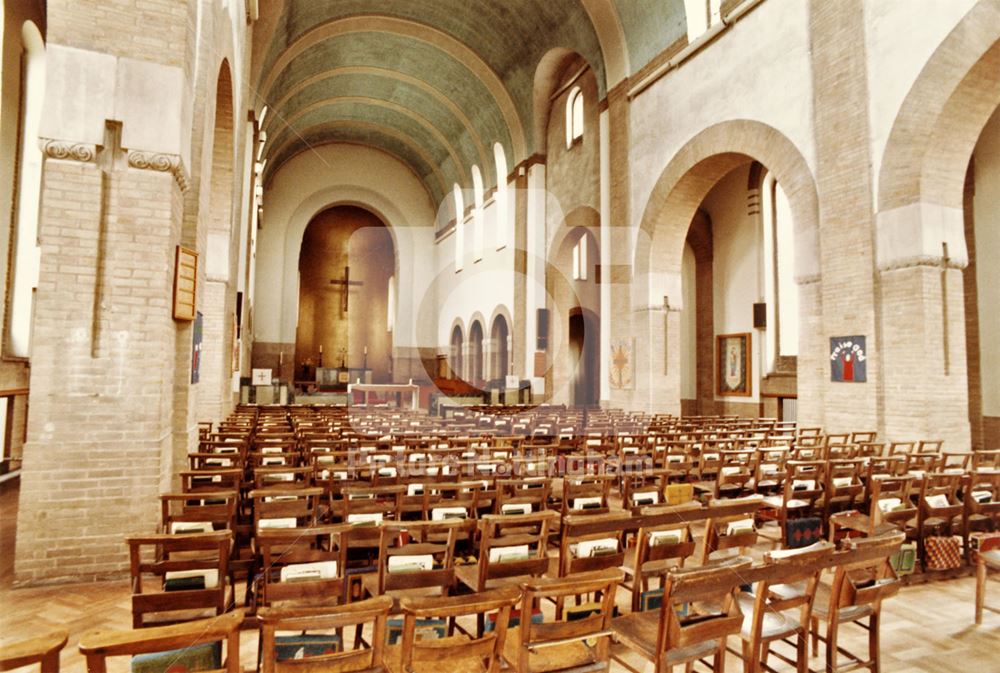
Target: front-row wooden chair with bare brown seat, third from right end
<point>668,638</point>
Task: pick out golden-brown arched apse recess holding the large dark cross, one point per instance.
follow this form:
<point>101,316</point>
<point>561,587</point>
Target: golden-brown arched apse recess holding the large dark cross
<point>346,263</point>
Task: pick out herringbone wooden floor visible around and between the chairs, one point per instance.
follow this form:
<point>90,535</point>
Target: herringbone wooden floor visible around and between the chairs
<point>927,628</point>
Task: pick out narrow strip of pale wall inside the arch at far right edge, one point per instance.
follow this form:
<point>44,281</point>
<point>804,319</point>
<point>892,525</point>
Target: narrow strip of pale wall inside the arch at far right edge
<point>986,211</point>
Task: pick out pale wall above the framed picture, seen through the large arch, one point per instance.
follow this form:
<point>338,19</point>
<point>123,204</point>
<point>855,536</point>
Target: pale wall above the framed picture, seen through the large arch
<point>736,269</point>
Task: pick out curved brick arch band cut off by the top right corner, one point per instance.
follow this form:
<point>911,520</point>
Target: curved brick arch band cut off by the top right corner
<point>939,122</point>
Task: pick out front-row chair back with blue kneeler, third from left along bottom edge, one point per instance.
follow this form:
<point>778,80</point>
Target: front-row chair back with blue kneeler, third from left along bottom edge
<point>324,651</point>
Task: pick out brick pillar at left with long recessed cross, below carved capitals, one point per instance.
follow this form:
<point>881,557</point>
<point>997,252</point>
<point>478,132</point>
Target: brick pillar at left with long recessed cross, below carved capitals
<point>102,362</point>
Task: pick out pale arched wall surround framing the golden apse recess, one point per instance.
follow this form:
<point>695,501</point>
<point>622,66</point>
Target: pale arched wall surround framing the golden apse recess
<point>330,175</point>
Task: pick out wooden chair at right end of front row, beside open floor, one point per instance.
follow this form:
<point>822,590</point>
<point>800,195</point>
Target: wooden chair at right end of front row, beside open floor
<point>856,594</point>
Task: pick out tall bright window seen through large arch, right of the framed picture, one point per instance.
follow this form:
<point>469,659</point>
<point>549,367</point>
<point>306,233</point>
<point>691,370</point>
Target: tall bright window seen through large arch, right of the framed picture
<point>780,289</point>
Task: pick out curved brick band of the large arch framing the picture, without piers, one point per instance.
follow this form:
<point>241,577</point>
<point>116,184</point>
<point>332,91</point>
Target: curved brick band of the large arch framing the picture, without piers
<point>698,166</point>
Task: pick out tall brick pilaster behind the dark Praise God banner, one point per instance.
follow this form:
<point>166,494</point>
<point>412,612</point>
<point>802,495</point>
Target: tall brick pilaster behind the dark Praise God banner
<point>847,293</point>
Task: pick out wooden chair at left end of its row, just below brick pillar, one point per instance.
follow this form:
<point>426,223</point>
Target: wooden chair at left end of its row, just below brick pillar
<point>190,572</point>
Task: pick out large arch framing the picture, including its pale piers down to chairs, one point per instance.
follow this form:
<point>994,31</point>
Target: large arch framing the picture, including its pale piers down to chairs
<point>663,230</point>
